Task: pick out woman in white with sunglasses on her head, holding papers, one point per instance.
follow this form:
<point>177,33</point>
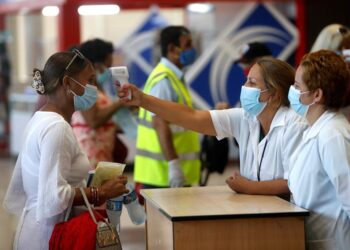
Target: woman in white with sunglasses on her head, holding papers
<point>51,166</point>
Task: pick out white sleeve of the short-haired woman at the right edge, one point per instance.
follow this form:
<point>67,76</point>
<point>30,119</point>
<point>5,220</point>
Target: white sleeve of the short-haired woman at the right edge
<point>336,162</point>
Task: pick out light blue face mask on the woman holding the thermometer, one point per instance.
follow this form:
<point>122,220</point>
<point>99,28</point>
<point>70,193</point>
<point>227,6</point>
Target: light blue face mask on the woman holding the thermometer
<point>250,100</point>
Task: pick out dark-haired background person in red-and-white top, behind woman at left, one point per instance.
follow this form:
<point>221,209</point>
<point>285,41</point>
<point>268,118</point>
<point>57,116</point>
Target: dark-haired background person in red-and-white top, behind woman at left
<point>94,128</point>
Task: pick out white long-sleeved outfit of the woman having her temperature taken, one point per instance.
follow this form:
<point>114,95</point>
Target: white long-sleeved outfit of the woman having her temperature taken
<point>50,165</point>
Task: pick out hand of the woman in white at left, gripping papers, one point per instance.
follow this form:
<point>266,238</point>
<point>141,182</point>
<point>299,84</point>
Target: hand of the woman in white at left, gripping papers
<point>114,187</point>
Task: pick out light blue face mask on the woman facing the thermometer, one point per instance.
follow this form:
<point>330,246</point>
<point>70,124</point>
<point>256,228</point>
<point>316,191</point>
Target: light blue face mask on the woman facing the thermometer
<point>88,99</point>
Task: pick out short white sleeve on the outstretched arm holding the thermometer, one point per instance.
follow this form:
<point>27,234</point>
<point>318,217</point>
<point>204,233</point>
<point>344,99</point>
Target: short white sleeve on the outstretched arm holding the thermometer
<point>227,122</point>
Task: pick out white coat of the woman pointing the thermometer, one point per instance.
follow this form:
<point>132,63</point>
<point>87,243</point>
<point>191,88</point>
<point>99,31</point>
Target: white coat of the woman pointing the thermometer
<point>285,133</point>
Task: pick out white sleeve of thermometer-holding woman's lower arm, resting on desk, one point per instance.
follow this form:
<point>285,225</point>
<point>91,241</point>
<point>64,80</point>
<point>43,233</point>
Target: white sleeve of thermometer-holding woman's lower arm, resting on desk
<point>293,135</point>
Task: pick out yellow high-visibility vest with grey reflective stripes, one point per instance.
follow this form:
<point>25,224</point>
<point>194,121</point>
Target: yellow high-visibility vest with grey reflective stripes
<point>151,166</point>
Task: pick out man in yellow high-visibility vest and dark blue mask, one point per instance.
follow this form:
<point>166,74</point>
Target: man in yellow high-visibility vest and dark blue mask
<point>168,155</point>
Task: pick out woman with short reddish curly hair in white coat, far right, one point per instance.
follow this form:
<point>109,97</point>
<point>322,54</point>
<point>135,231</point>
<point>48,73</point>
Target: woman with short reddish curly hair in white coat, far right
<point>319,179</point>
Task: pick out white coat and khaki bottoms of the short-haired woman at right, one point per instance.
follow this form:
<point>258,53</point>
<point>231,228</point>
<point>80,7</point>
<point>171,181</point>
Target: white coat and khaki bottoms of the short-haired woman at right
<point>320,181</point>
